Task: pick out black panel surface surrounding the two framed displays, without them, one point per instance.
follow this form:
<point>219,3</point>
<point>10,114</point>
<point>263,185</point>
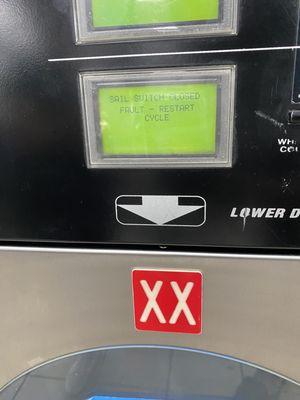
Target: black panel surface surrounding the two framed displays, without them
<point>50,192</point>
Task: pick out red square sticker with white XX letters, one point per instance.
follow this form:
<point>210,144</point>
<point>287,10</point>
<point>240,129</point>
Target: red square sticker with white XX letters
<point>167,301</point>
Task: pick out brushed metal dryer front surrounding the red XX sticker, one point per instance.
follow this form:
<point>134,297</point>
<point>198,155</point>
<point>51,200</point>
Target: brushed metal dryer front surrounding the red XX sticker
<point>56,302</point>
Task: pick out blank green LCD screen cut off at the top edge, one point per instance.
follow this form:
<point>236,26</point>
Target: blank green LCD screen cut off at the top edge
<point>118,13</point>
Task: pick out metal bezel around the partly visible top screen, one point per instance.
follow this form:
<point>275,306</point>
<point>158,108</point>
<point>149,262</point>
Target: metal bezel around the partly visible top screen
<point>87,34</point>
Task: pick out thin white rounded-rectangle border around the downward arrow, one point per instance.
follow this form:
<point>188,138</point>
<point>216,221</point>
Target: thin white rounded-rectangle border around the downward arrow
<point>167,224</point>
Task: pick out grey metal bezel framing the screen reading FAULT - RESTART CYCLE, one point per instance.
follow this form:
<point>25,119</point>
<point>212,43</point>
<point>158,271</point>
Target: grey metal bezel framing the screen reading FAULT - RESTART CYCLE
<point>223,75</point>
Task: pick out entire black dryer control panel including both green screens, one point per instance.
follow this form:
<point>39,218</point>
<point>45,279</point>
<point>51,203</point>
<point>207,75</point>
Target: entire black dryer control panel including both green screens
<point>150,123</point>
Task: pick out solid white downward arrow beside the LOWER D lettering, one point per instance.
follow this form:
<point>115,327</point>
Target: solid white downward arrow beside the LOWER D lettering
<point>160,209</point>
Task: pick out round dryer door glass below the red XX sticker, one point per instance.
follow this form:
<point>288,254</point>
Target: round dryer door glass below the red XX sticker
<point>149,372</point>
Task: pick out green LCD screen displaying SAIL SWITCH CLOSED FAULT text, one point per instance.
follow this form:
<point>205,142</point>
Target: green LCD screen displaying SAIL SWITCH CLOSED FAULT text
<point>158,120</point>
